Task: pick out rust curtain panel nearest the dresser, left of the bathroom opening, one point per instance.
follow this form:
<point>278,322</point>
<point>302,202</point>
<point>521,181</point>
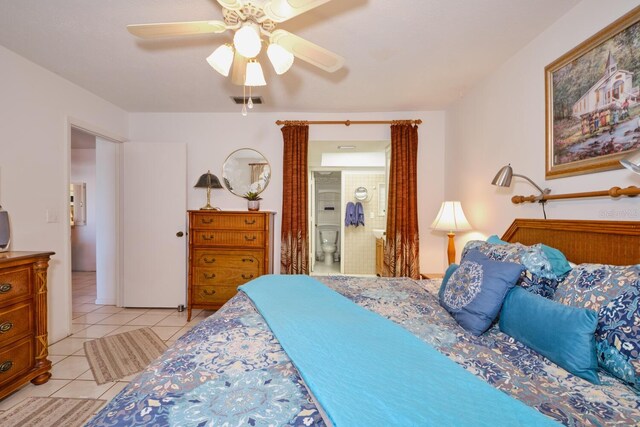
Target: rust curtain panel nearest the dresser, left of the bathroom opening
<point>294,250</point>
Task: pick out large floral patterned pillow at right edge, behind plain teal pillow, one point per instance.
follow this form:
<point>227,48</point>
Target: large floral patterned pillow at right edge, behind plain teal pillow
<point>613,292</point>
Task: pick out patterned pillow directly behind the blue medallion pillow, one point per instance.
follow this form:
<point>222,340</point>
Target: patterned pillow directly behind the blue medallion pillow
<point>539,276</point>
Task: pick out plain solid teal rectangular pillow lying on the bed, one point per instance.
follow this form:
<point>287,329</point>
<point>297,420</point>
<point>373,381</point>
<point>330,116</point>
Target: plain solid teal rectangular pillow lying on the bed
<point>563,334</point>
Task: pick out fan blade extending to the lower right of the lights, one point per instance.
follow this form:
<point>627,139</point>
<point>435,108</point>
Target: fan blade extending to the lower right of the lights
<point>307,51</point>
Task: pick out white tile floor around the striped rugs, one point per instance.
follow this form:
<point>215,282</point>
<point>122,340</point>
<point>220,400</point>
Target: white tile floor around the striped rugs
<point>70,375</point>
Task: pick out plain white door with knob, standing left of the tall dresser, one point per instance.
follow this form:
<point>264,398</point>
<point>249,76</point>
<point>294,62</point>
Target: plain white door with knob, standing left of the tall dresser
<point>154,214</point>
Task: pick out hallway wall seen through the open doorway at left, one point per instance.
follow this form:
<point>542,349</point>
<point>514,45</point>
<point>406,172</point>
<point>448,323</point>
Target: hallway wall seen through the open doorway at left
<point>83,237</point>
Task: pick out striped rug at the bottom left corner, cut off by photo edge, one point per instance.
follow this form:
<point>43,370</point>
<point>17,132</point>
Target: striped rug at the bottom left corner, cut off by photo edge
<point>50,411</point>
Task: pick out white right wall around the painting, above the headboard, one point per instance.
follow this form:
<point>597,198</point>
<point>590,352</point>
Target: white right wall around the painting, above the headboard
<point>502,121</point>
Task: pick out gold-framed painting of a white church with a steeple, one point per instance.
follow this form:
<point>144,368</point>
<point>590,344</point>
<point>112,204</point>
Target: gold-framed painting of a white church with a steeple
<point>593,101</point>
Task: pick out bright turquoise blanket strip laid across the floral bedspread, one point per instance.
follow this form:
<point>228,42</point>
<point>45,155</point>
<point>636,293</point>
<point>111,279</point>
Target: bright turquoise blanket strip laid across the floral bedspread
<point>365,370</point>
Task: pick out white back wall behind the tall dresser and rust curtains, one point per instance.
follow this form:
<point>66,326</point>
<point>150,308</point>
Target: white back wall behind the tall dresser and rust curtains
<point>211,137</point>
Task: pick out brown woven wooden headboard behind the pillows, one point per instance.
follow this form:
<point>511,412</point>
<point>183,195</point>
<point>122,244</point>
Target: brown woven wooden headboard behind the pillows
<point>582,241</point>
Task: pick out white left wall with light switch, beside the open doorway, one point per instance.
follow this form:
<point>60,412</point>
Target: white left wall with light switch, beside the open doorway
<point>35,108</point>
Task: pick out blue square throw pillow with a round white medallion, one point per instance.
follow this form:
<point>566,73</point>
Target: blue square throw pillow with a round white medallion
<point>475,291</point>
